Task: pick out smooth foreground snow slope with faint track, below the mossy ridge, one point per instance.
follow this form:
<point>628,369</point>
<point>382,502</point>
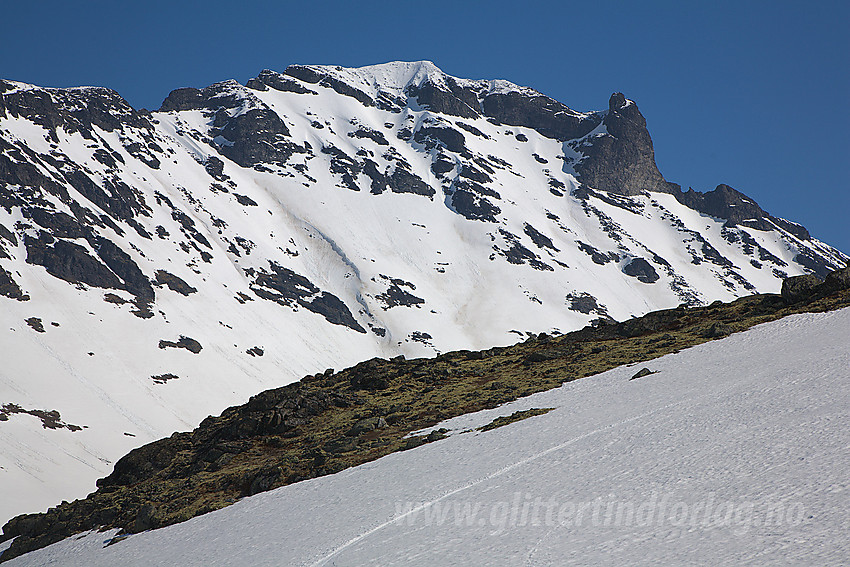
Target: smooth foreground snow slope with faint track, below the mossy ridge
<point>733,452</point>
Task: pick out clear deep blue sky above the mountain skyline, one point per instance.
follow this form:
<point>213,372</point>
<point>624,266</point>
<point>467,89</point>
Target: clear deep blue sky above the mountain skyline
<point>755,94</point>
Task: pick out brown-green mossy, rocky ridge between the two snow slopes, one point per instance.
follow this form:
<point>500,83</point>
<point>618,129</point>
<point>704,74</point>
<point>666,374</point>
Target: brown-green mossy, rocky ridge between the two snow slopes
<point>329,422</point>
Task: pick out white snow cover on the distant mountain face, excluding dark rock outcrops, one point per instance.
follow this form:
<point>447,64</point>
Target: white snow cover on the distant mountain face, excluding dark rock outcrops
<point>95,361</point>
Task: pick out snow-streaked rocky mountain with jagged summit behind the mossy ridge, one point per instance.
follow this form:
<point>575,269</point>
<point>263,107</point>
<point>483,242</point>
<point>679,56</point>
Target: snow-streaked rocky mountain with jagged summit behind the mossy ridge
<point>156,267</point>
